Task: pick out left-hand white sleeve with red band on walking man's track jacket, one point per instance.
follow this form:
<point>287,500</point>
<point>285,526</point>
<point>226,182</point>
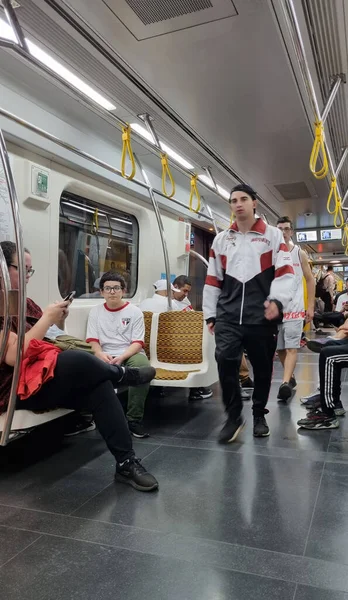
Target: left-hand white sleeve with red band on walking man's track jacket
<point>213,282</point>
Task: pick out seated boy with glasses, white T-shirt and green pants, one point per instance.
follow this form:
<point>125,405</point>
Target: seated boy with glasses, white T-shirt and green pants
<point>116,333</point>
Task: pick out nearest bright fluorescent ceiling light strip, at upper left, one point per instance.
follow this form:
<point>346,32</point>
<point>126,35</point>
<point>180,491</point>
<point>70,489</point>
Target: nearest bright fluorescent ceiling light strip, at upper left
<point>42,56</point>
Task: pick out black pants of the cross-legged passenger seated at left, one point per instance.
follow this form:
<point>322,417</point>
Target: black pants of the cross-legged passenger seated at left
<point>82,381</point>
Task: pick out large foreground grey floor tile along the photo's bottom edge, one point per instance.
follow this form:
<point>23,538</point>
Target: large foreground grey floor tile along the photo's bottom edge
<point>58,569</point>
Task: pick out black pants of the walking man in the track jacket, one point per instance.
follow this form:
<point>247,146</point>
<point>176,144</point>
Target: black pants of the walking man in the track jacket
<point>260,342</point>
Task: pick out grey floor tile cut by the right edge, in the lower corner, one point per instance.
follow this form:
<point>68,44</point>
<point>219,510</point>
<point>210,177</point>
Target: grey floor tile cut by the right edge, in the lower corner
<point>328,538</point>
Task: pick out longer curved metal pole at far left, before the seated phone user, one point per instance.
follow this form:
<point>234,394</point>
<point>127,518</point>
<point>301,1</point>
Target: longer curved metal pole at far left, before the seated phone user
<point>22,289</point>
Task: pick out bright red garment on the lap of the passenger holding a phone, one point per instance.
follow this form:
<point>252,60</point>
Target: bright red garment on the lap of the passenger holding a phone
<point>37,367</point>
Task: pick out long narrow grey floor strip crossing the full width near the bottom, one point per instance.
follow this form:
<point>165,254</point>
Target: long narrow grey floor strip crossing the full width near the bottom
<point>198,551</point>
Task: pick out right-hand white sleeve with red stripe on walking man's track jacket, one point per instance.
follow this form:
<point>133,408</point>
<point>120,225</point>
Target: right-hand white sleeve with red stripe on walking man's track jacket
<point>283,282</point>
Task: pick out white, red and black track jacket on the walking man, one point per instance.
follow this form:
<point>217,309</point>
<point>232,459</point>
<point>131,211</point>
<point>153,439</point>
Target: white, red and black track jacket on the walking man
<point>244,271</point>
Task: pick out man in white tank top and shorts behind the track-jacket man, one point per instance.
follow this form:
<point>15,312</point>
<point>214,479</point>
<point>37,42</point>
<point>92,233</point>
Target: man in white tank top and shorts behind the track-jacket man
<point>290,331</point>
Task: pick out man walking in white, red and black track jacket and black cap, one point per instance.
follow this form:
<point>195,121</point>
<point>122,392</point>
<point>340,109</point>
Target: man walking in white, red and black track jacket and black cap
<point>249,282</point>
